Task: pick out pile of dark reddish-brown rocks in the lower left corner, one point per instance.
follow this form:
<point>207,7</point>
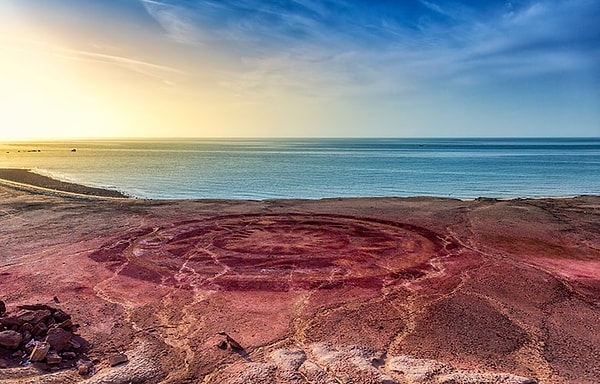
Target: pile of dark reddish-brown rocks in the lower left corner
<point>42,335</point>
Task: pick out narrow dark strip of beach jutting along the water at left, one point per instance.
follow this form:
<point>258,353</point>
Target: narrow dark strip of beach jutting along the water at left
<point>24,178</point>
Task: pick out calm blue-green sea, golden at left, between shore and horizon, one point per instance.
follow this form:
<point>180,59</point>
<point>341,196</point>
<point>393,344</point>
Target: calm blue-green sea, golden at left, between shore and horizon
<point>316,168</point>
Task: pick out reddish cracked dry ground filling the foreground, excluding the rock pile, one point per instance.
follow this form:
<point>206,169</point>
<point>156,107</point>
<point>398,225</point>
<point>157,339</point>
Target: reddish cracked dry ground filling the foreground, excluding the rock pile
<point>387,290</point>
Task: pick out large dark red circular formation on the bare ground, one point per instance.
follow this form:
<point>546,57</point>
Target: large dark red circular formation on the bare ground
<point>275,252</point>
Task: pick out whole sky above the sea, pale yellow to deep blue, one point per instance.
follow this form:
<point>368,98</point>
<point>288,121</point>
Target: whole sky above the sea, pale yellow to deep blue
<point>299,68</point>
